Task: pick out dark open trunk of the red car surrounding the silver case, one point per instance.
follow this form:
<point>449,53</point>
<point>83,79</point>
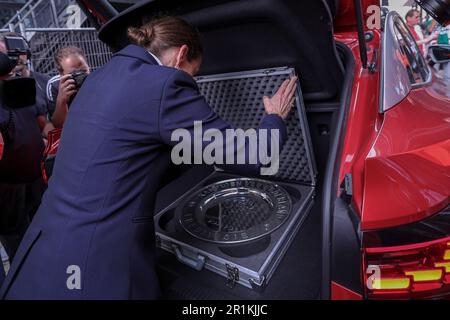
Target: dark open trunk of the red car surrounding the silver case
<point>239,36</point>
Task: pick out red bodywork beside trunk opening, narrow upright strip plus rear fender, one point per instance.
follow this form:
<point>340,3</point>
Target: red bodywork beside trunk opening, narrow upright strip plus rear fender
<point>399,160</point>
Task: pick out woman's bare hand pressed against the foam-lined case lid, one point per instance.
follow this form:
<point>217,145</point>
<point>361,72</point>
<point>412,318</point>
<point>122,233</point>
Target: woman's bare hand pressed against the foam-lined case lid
<point>283,100</point>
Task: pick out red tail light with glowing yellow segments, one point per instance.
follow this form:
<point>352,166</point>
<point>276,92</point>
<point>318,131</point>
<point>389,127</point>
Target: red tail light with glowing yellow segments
<point>410,271</point>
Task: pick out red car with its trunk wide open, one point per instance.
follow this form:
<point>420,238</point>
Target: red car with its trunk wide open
<point>379,124</point>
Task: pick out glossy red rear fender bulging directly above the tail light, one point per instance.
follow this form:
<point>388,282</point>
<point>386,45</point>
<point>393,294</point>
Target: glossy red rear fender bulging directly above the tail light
<point>407,171</point>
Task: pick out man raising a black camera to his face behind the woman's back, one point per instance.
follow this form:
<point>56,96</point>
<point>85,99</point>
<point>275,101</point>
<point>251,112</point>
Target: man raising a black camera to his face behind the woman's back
<point>73,69</point>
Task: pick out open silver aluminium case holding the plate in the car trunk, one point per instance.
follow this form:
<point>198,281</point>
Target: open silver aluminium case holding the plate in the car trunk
<point>256,269</point>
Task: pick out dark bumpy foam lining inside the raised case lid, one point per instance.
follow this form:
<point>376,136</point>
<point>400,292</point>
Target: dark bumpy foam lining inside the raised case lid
<point>238,99</point>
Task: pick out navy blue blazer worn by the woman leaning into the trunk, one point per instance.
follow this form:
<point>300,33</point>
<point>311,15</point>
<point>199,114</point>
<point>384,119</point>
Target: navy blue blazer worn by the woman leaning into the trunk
<point>96,218</point>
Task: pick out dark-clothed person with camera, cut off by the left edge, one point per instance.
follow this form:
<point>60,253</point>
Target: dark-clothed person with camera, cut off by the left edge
<point>21,185</point>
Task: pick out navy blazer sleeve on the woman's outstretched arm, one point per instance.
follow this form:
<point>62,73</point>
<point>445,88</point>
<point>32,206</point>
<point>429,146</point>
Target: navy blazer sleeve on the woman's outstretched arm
<point>182,105</point>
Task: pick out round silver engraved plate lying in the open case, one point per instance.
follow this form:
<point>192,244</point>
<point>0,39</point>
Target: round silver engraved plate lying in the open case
<point>235,210</point>
